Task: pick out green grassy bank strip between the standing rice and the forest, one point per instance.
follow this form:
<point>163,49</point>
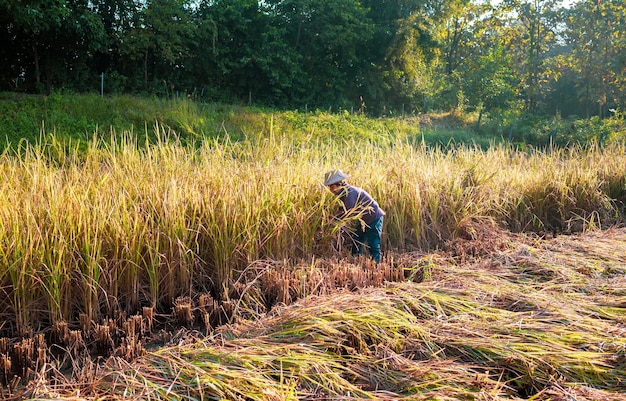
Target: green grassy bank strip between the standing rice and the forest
<point>79,117</point>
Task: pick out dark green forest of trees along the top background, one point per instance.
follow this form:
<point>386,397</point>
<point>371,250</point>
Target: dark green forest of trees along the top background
<point>380,57</point>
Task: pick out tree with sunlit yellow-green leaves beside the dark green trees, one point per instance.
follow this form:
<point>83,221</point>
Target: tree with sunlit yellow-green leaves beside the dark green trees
<point>421,43</point>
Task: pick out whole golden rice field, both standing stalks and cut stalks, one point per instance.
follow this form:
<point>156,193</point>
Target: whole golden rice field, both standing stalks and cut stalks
<point>215,270</point>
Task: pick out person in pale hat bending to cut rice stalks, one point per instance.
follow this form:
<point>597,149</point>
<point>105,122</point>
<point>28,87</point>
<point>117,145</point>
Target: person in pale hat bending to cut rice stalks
<point>358,203</point>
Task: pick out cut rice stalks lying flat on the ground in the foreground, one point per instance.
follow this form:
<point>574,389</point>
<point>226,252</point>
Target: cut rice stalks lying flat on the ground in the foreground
<point>491,317</point>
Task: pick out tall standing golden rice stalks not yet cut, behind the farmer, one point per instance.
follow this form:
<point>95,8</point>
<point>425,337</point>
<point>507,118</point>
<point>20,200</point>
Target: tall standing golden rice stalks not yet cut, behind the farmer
<point>121,224</point>
